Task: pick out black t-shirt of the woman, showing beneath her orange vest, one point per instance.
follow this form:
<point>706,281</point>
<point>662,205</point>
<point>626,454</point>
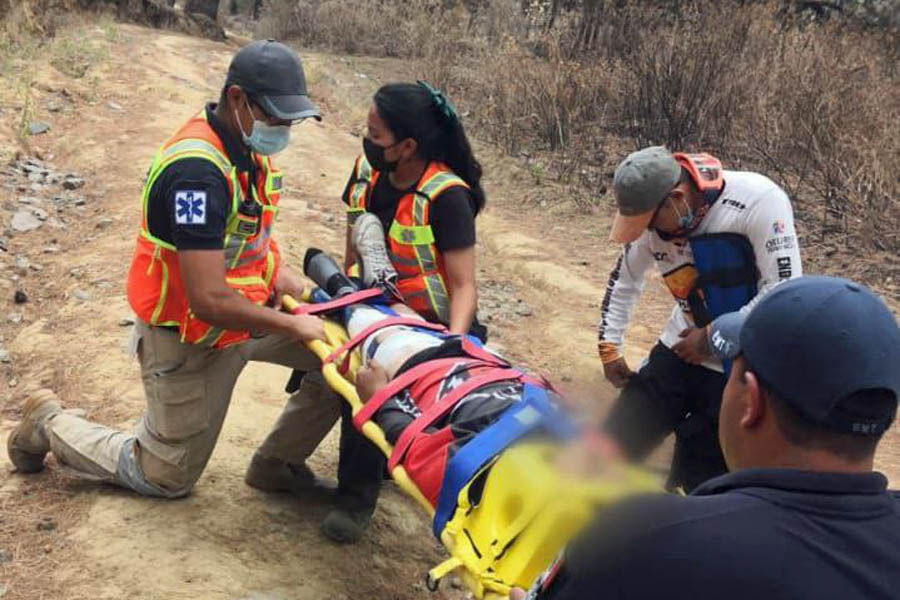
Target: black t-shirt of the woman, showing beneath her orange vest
<point>451,213</point>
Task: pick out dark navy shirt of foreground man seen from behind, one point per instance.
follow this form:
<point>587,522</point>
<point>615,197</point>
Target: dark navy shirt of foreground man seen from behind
<point>751,534</point>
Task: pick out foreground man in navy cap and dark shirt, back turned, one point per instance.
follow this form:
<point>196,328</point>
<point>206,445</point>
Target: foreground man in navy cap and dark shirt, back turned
<point>813,388</point>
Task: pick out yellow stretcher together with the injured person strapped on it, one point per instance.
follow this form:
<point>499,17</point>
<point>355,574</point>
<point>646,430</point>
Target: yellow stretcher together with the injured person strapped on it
<point>479,443</point>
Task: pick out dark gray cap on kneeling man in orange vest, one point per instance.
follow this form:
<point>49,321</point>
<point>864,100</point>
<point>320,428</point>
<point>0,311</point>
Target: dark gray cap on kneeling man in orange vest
<point>272,74</point>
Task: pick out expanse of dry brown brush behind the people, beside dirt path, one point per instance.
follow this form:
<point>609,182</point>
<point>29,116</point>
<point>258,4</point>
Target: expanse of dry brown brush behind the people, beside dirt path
<point>812,102</point>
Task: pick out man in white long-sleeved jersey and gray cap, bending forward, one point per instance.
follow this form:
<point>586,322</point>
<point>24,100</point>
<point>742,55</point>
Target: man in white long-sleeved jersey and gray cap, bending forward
<point>720,239</point>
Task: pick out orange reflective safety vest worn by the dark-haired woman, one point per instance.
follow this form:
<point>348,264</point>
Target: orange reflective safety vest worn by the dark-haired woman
<point>422,278</point>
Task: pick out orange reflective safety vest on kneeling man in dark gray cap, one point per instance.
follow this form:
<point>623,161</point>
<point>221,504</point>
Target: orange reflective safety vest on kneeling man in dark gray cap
<point>155,288</point>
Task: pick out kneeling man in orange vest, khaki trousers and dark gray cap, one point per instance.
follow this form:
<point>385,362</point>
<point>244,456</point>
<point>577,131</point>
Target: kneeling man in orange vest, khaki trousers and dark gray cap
<point>205,267</point>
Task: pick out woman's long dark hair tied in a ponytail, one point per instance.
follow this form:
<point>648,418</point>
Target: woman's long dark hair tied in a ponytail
<point>411,111</point>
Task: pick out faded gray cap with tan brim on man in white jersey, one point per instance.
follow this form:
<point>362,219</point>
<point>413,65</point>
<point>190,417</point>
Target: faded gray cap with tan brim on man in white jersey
<point>641,182</point>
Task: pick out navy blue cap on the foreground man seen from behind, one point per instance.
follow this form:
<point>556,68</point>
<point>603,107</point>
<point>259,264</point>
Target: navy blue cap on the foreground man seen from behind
<point>814,341</point>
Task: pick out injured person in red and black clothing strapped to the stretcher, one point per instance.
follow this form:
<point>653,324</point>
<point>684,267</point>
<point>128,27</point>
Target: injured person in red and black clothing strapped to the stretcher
<point>434,368</point>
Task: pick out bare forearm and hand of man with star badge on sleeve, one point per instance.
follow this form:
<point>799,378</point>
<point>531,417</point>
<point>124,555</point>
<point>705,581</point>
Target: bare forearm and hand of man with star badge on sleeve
<point>203,274</point>
